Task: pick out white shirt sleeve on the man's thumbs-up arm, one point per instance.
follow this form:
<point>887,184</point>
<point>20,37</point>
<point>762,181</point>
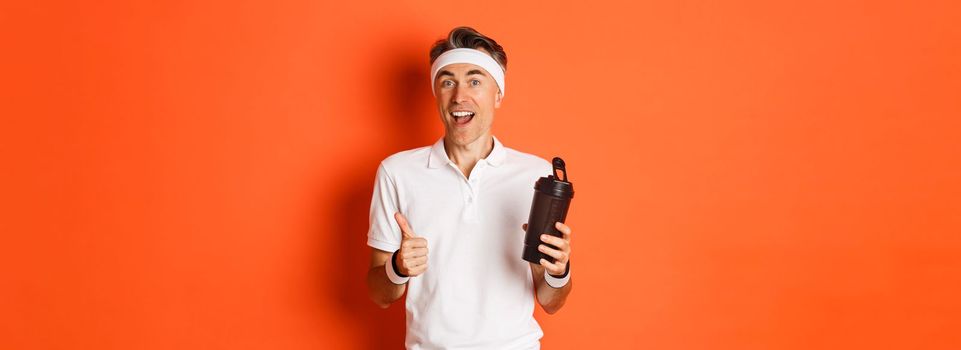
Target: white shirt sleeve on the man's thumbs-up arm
<point>384,233</point>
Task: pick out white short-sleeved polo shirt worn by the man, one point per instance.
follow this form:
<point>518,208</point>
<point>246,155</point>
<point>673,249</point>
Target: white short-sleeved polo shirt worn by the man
<point>477,292</point>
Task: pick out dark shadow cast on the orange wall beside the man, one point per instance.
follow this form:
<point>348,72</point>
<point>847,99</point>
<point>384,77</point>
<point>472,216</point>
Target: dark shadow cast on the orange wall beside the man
<point>408,125</point>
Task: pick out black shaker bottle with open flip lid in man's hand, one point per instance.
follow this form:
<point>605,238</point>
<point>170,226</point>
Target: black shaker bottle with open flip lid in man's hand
<point>552,198</point>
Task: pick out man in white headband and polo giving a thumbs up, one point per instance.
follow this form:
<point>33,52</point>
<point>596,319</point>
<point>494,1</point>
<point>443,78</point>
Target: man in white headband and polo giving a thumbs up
<point>446,220</point>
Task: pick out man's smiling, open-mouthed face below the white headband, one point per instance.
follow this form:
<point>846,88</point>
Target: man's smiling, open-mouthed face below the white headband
<point>466,98</point>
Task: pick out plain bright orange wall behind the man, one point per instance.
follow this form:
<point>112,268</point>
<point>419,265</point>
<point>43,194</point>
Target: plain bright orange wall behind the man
<point>750,174</point>
